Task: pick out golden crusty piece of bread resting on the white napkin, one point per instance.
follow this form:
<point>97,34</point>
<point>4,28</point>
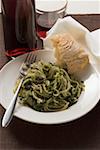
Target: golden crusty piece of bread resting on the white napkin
<point>69,53</point>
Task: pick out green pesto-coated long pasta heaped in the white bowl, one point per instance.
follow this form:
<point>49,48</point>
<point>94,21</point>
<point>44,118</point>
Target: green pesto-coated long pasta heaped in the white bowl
<point>49,88</point>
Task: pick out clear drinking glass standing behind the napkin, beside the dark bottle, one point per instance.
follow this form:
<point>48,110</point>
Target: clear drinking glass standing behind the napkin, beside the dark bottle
<point>47,12</point>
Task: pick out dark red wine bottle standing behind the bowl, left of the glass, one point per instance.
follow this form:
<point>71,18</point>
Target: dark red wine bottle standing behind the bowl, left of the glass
<point>19,21</point>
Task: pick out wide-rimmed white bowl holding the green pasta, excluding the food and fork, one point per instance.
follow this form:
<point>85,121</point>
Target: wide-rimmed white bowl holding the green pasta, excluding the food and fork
<point>87,100</point>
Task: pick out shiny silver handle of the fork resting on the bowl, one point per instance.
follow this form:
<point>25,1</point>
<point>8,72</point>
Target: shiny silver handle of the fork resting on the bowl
<point>10,110</point>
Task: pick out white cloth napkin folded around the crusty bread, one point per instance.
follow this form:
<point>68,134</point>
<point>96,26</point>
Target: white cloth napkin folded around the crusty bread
<point>81,34</point>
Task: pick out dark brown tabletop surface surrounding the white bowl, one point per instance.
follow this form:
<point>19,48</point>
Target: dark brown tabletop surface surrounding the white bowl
<point>82,134</point>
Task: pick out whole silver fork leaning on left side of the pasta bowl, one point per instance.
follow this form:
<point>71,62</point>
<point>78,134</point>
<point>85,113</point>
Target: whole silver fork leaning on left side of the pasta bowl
<point>30,58</point>
